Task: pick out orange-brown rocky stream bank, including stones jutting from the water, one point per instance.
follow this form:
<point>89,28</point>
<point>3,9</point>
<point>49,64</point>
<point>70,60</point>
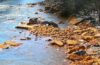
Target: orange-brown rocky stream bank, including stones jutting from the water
<point>81,39</point>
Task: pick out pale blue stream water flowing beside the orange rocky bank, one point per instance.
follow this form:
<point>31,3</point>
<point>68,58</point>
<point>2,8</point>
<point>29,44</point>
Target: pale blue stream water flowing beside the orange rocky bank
<point>31,52</point>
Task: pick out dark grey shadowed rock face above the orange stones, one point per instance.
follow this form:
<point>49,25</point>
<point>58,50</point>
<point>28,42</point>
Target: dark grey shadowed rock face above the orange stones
<point>77,7</point>
